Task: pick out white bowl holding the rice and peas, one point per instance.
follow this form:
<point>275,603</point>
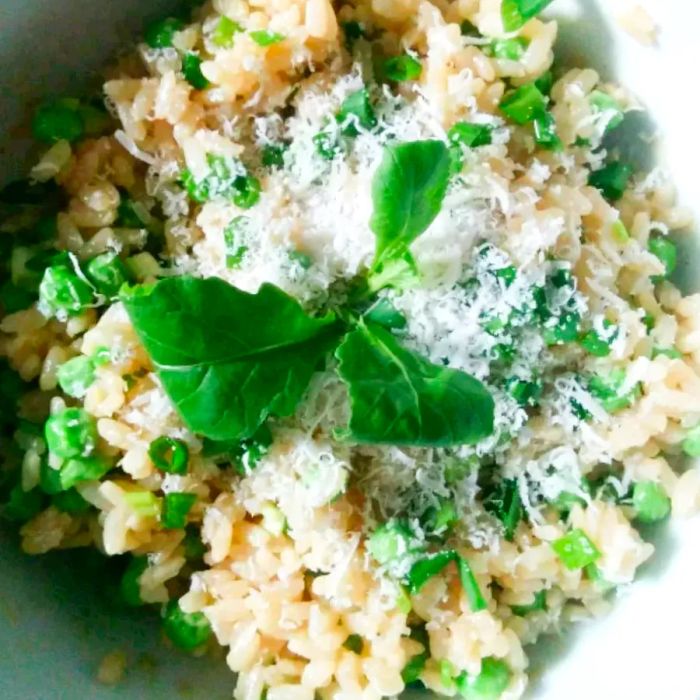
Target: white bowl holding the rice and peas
<point>55,625</point>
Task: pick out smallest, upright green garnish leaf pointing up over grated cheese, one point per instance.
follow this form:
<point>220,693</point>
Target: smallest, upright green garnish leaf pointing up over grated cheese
<point>407,192</point>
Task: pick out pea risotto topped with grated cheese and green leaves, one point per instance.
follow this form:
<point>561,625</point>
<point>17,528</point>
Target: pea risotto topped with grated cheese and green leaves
<point>348,331</point>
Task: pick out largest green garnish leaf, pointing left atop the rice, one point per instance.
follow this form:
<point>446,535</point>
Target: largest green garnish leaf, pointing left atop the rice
<point>228,359</point>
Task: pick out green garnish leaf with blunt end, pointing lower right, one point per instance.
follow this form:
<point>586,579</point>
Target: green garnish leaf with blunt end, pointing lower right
<point>398,397</point>
